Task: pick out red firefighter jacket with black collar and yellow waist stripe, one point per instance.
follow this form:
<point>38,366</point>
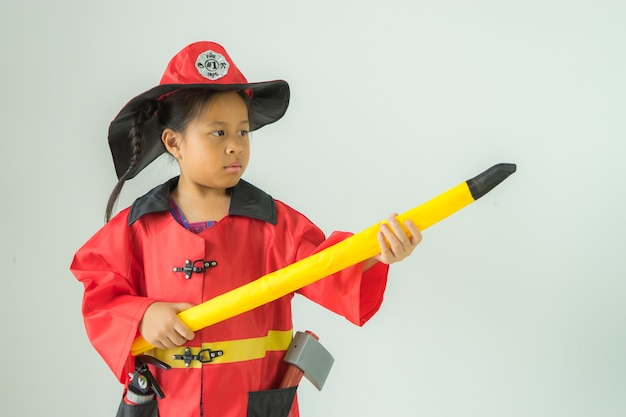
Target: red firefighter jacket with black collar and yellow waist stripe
<point>130,263</point>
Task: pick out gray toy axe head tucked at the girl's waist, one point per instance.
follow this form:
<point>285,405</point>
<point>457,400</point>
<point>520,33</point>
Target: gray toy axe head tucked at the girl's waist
<point>308,354</point>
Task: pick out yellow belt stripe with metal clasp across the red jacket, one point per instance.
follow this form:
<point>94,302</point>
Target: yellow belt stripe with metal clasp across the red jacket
<point>224,352</point>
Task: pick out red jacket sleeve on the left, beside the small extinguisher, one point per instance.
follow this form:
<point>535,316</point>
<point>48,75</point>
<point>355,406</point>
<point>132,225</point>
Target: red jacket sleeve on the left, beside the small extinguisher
<point>112,307</point>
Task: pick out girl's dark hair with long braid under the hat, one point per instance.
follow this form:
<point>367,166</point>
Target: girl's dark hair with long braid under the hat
<point>175,112</point>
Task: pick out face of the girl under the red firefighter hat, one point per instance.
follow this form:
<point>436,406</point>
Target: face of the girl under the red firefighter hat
<point>214,149</point>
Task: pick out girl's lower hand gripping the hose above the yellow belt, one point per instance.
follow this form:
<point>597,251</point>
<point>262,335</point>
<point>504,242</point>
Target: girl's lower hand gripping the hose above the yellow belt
<point>162,328</point>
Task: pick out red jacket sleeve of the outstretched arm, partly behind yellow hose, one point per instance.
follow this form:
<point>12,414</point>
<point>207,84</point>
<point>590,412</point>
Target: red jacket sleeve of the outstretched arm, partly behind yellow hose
<point>352,293</point>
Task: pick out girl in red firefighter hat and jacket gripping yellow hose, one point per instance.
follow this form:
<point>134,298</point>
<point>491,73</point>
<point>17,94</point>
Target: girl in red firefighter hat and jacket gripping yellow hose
<point>202,234</point>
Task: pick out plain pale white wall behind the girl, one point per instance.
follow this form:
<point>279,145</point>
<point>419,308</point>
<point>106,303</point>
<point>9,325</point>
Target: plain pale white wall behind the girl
<point>514,306</point>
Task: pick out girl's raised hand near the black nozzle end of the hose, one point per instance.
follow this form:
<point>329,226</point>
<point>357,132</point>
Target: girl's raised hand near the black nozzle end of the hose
<point>395,244</point>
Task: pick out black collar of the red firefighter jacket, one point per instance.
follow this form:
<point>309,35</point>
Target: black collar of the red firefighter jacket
<point>245,200</point>
